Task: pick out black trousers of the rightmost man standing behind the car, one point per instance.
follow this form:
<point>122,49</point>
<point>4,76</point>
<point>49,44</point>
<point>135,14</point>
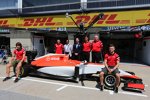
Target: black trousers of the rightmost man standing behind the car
<point>96,57</point>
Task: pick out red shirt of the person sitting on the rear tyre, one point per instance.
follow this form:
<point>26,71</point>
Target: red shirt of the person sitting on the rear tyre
<point>19,54</point>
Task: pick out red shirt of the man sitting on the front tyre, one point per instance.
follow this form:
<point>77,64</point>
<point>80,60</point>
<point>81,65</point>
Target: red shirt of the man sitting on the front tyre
<point>112,59</point>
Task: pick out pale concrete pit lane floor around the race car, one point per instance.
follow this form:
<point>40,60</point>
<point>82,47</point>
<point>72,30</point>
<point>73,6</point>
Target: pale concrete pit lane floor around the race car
<point>36,88</point>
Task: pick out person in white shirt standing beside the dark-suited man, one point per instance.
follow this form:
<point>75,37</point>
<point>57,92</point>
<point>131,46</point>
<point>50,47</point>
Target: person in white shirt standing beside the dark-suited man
<point>68,49</point>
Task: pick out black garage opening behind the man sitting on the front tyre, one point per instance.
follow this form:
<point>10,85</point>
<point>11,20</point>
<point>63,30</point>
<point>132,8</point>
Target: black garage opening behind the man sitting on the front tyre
<point>125,44</point>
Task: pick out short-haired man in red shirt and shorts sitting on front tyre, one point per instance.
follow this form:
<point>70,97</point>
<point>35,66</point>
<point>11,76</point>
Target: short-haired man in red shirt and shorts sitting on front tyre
<point>111,62</point>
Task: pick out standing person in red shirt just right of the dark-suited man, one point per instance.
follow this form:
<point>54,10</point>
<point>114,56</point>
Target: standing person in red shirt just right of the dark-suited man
<point>86,49</point>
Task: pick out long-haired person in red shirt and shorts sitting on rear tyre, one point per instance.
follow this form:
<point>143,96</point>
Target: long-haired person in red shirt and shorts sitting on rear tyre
<point>18,58</point>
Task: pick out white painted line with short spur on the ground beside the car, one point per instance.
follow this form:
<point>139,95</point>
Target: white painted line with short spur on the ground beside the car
<point>81,87</point>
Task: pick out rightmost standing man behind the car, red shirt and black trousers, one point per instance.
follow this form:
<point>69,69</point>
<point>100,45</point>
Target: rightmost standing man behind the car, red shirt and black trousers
<point>97,46</point>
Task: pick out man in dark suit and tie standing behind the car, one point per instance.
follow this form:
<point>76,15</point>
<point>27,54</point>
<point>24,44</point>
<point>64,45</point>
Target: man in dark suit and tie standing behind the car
<point>77,49</point>
